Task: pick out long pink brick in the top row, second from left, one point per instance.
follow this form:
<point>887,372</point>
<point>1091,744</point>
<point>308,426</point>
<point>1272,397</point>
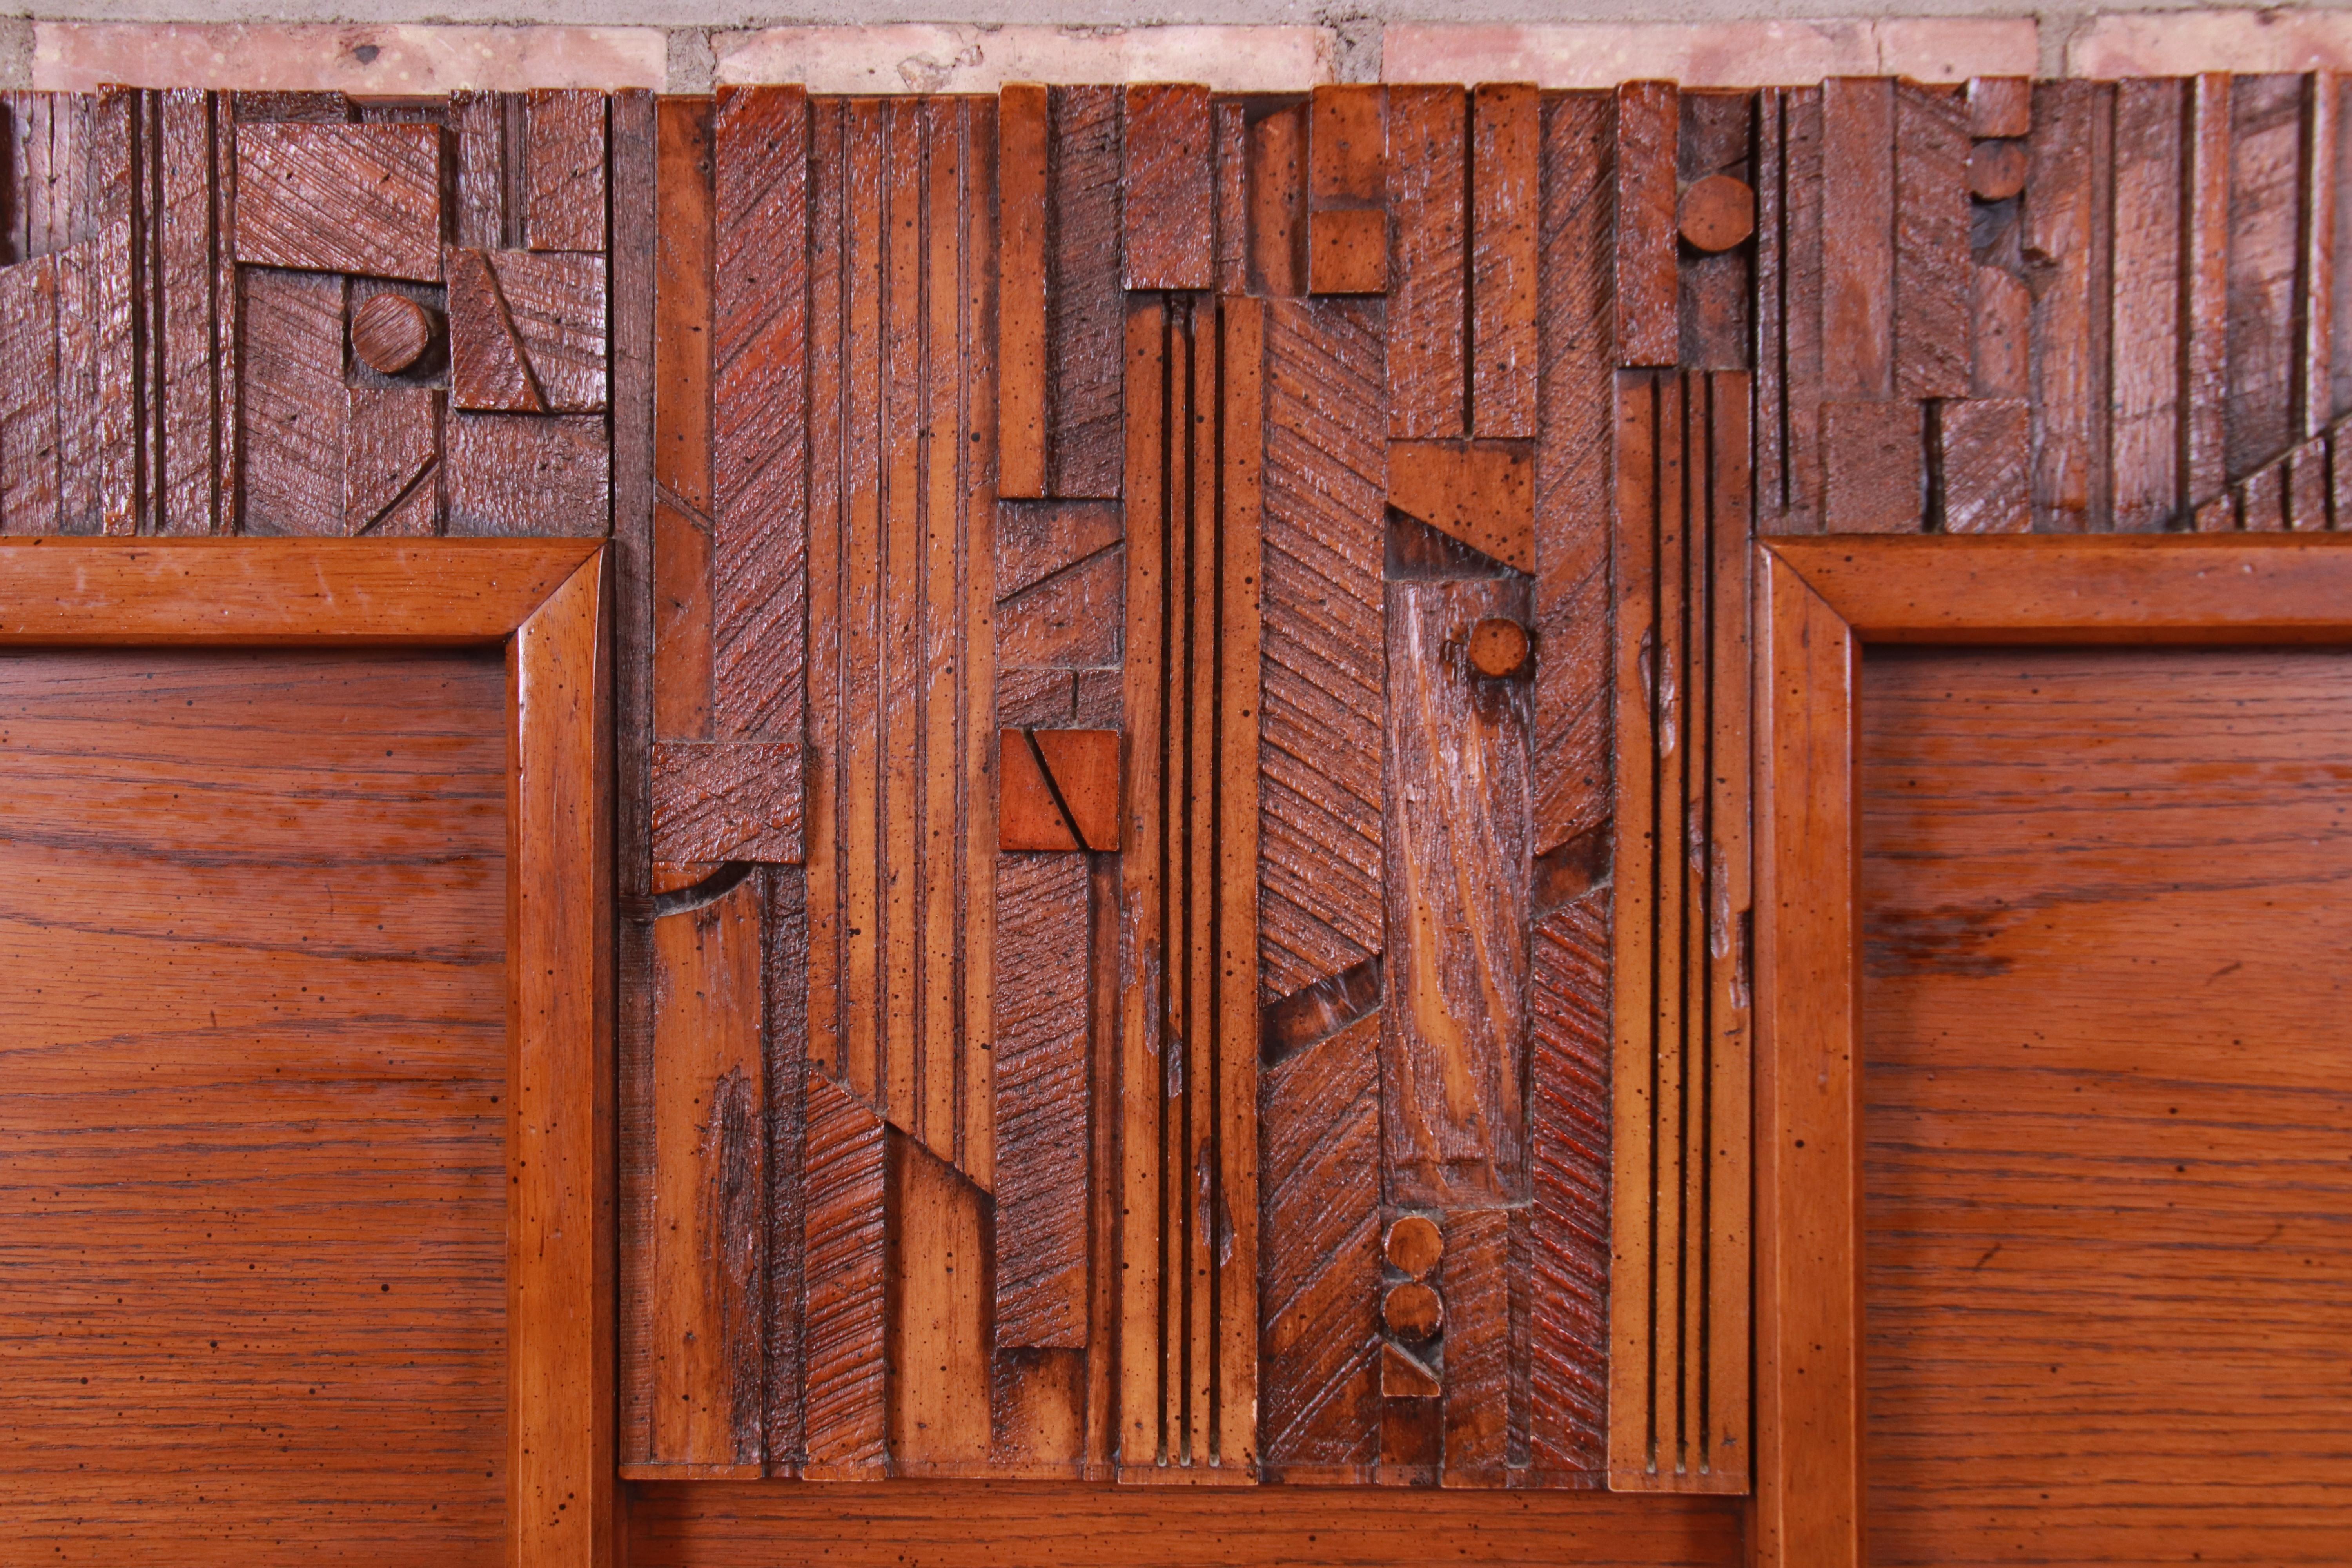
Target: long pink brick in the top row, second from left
<point>956,58</point>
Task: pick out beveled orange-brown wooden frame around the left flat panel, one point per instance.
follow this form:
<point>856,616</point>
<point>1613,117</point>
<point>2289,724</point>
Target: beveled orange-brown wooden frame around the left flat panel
<point>549,605</point>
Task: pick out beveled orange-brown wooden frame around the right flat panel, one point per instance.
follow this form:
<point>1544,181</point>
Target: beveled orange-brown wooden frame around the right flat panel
<point>1819,601</point>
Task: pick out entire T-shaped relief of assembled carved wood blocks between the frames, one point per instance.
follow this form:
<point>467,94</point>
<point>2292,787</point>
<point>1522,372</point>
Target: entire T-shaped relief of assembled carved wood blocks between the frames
<point>1184,666</point>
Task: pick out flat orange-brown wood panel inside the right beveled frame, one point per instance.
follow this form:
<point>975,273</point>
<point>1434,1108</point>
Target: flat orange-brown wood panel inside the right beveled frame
<point>2106,1106</point>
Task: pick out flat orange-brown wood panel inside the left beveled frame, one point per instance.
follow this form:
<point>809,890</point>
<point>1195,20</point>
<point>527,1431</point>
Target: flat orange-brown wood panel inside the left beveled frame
<point>253,1155</point>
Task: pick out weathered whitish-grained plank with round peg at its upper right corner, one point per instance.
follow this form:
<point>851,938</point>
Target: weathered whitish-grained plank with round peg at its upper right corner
<point>1457,831</point>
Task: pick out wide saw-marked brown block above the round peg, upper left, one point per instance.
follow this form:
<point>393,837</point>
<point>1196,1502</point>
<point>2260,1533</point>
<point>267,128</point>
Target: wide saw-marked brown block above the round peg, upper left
<point>342,199</point>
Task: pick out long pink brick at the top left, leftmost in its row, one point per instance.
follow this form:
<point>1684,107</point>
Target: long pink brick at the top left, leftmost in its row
<point>363,60</point>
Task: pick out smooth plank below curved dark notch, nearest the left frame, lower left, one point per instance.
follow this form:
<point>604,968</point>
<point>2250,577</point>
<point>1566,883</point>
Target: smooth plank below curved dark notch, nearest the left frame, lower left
<point>709,1144</point>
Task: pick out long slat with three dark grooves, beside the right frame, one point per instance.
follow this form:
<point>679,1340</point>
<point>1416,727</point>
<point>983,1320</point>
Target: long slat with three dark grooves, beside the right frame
<point>1678,1292</point>
